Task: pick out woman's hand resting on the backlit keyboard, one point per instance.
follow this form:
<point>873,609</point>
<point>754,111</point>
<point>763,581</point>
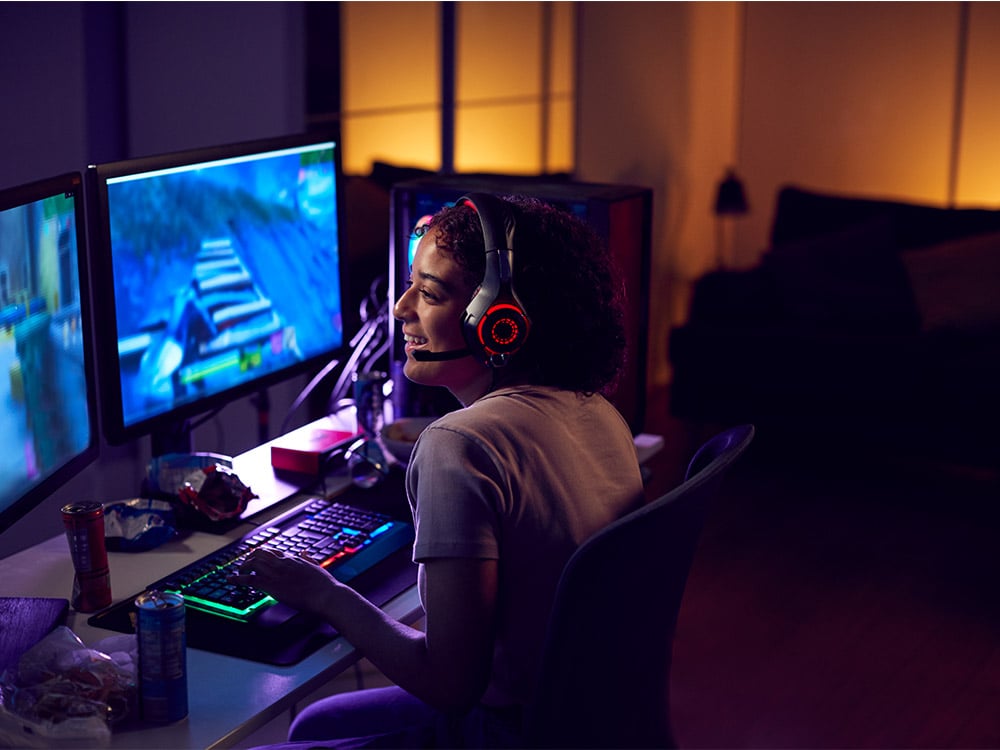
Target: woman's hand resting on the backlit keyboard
<point>291,580</point>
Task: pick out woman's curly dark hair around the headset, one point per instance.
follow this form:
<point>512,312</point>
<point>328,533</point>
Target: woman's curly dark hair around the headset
<point>567,282</point>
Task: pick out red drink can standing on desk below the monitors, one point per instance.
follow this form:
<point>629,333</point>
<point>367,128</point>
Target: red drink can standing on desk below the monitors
<point>84,523</point>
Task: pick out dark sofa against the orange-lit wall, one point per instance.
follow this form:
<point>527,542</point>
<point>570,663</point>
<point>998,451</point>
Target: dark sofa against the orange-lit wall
<point>870,322</point>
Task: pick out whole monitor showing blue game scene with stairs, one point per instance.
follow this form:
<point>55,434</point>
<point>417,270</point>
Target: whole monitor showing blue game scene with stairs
<point>218,273</point>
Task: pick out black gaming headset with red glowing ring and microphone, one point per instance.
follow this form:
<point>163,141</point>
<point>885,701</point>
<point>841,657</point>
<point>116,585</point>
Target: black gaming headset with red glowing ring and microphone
<point>494,323</point>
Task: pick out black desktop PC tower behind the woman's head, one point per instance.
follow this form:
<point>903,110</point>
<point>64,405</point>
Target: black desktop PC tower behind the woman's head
<point>621,214</point>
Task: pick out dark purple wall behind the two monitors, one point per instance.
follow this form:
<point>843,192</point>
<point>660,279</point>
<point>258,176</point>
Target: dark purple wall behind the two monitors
<point>89,82</point>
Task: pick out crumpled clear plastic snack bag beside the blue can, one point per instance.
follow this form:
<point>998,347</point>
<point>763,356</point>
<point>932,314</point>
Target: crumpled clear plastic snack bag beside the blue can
<point>63,693</point>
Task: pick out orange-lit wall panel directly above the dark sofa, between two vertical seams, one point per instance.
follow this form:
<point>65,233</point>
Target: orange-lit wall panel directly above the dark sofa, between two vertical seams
<point>857,102</point>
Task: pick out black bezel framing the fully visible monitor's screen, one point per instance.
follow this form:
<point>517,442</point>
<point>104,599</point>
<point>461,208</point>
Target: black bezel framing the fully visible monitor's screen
<point>176,421</point>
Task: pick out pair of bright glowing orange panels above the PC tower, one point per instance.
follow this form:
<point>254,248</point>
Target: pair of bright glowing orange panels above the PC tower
<point>514,86</point>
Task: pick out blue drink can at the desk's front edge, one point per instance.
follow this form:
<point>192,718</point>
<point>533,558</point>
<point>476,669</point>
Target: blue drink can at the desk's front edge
<point>160,626</point>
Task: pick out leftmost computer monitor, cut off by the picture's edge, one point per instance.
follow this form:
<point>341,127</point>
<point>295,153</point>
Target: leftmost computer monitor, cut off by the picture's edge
<point>48,412</point>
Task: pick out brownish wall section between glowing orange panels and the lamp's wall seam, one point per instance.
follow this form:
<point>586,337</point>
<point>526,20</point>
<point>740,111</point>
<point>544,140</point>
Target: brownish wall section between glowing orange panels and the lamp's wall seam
<point>655,92</point>
